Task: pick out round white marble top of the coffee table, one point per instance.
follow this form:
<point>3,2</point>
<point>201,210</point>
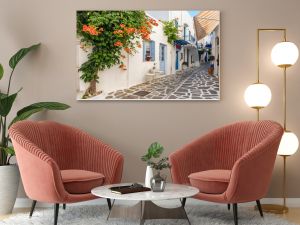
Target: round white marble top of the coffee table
<point>172,191</point>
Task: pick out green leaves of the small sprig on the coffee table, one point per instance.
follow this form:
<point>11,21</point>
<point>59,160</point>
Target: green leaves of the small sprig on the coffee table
<point>154,151</point>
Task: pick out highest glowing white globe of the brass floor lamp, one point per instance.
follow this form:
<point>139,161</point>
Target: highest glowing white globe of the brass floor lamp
<point>284,54</point>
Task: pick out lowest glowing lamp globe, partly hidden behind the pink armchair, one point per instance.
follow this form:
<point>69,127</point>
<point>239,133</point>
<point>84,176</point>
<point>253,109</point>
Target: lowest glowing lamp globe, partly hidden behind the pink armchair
<point>289,144</point>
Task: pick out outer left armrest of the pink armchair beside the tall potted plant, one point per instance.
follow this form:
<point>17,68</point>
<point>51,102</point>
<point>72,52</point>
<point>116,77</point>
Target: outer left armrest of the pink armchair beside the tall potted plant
<point>40,174</point>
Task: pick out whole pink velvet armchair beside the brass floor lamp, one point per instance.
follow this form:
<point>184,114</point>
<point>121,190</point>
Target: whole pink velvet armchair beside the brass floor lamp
<point>230,165</point>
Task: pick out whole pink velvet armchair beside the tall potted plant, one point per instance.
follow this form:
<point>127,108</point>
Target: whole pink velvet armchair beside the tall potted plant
<point>60,164</point>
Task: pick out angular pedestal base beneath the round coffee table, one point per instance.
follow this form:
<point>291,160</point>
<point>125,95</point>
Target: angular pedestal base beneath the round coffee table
<point>147,210</point>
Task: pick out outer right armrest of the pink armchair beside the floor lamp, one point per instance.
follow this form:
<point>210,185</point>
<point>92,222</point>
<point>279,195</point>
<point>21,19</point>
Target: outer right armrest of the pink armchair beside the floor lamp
<point>251,174</point>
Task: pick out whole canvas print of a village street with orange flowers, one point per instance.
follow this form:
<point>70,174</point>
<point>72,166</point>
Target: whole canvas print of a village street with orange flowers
<point>148,55</point>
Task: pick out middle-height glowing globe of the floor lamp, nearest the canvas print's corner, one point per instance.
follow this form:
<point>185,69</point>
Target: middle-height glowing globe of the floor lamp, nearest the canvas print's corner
<point>257,95</point>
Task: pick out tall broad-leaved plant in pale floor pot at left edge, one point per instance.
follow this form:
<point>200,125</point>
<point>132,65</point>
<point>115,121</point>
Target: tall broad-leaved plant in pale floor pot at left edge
<point>9,173</point>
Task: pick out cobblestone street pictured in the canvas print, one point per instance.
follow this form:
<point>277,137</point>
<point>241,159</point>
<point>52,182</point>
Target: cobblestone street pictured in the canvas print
<point>193,83</point>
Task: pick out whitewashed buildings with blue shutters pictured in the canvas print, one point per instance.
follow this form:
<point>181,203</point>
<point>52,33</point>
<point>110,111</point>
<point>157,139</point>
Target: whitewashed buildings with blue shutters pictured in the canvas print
<point>167,58</point>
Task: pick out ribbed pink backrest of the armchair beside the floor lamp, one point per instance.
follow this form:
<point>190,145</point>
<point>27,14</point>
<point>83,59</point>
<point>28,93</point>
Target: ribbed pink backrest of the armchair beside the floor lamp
<point>223,147</point>
